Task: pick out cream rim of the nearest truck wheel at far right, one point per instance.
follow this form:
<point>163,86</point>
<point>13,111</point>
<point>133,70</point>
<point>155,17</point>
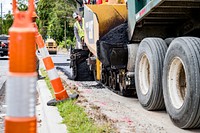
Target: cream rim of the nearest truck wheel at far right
<point>177,83</point>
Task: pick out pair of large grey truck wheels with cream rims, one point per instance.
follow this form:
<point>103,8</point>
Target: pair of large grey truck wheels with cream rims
<point>170,77</point>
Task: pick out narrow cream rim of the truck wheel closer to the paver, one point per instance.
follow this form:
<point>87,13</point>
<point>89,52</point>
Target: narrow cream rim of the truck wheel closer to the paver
<point>144,75</point>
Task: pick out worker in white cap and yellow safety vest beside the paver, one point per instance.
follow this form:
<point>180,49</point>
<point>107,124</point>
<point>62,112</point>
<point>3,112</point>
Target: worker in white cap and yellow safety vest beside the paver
<point>79,30</point>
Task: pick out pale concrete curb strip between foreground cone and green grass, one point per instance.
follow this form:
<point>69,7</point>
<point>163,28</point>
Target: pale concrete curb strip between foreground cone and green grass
<point>48,117</point>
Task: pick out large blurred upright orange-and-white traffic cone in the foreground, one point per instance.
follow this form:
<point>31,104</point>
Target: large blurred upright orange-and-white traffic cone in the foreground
<point>22,76</point>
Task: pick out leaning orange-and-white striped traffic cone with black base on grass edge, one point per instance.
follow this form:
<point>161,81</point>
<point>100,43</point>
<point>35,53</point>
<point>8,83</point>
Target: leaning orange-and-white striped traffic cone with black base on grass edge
<point>59,91</point>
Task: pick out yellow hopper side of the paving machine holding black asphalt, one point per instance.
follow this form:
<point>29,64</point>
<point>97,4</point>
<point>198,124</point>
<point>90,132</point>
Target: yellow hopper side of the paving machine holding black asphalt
<point>105,18</point>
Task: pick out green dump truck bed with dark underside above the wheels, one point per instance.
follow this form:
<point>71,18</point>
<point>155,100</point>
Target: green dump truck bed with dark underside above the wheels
<point>172,17</point>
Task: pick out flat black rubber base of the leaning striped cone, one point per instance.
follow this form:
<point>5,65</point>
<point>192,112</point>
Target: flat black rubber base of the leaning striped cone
<point>54,102</point>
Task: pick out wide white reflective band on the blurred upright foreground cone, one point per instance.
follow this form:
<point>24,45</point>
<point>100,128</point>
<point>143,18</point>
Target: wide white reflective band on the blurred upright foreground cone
<point>21,91</point>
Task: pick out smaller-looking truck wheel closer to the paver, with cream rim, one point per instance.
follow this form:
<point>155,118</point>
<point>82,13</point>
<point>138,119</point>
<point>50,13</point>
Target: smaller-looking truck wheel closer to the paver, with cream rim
<point>148,73</point>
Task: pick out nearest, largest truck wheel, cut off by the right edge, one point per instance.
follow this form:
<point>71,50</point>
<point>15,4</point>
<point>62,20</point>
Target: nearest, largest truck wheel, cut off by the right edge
<point>181,82</point>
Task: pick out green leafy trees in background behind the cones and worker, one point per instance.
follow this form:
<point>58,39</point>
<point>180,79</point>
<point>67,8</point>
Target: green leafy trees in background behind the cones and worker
<point>52,17</point>
